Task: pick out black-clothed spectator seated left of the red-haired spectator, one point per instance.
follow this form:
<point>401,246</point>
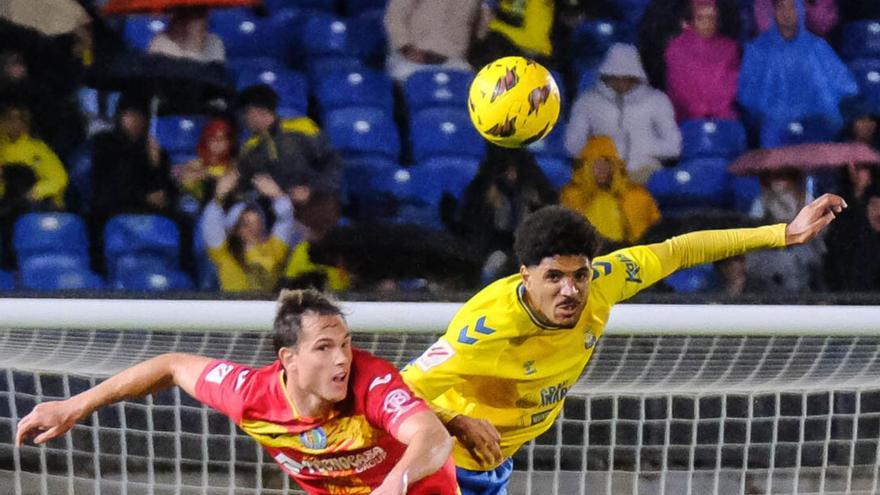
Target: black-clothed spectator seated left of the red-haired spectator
<point>130,172</point>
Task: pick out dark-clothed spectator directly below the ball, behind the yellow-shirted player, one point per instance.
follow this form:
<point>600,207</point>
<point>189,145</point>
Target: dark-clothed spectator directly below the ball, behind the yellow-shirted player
<point>508,186</point>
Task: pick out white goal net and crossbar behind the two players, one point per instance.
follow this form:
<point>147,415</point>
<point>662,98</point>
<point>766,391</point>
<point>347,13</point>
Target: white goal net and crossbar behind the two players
<point>769,408</point>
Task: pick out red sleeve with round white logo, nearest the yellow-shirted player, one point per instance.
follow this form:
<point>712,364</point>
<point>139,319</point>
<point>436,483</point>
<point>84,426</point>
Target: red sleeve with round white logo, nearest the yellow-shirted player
<point>389,402</point>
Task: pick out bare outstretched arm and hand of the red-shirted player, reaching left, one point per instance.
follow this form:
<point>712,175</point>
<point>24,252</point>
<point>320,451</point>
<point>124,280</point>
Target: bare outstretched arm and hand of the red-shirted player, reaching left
<point>49,420</point>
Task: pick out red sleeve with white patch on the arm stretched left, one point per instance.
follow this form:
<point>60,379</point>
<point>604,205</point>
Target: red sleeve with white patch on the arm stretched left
<point>224,386</point>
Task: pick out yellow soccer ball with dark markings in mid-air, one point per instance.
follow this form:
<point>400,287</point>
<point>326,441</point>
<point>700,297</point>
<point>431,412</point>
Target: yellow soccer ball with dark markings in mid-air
<point>513,102</point>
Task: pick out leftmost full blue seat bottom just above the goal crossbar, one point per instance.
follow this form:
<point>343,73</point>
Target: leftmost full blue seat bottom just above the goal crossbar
<point>57,272</point>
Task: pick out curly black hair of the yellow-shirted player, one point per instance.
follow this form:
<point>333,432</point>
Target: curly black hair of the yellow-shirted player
<point>554,231</point>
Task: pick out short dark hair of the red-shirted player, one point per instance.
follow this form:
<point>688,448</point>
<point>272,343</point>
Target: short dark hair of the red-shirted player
<point>292,304</point>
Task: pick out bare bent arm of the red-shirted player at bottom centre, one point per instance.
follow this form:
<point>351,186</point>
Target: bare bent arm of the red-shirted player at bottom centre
<point>428,448</point>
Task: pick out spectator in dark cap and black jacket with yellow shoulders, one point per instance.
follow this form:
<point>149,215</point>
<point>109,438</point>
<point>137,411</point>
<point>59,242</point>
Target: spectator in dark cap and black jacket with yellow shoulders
<point>296,155</point>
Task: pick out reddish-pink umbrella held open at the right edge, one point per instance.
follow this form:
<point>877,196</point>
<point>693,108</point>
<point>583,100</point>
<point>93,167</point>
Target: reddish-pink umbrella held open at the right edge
<point>804,157</point>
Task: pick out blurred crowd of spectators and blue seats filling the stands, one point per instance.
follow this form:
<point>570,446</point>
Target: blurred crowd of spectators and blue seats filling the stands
<point>319,142</point>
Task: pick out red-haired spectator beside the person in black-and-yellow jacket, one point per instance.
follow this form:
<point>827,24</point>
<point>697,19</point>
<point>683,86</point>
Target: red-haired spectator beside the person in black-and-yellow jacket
<point>216,150</point>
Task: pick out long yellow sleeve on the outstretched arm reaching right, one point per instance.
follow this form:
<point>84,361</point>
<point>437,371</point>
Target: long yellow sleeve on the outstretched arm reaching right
<point>623,274</point>
